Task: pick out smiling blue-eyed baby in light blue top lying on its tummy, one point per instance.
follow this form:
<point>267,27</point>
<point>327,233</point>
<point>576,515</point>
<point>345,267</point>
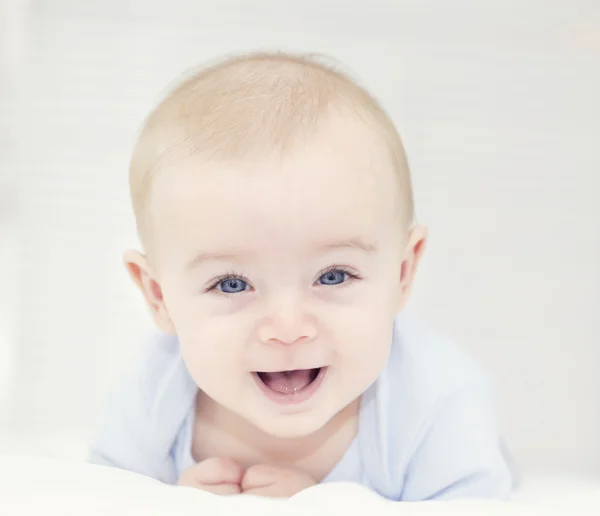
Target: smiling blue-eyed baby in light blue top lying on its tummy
<point>274,204</point>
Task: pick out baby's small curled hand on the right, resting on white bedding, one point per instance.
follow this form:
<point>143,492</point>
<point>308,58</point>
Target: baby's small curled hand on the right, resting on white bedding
<point>274,482</point>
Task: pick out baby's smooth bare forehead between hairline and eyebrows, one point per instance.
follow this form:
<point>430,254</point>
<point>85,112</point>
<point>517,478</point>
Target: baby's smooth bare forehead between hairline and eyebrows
<point>339,184</point>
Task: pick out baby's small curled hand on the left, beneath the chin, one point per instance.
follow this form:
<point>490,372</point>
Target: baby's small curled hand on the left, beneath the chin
<point>218,475</point>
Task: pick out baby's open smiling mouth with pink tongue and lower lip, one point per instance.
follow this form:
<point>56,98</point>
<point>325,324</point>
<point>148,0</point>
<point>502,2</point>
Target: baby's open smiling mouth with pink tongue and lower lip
<point>290,386</point>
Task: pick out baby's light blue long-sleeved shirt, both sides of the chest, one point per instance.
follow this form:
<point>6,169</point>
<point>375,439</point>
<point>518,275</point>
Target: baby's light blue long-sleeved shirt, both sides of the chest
<point>427,427</point>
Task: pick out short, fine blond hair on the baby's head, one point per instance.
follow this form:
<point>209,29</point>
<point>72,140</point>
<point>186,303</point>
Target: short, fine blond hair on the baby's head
<point>252,103</point>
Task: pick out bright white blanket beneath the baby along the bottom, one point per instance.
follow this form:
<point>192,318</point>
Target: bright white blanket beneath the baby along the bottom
<point>43,486</point>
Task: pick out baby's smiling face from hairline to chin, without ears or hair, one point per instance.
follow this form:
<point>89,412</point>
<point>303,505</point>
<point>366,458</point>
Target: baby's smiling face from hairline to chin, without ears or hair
<point>281,277</point>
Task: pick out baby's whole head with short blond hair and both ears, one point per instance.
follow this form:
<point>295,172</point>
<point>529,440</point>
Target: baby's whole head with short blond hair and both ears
<point>274,204</point>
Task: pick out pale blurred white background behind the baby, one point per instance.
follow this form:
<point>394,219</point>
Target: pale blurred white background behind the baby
<point>498,102</point>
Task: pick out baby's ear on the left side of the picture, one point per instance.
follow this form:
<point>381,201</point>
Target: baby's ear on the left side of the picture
<point>141,273</point>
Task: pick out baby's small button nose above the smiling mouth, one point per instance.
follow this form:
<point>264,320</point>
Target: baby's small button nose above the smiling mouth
<point>287,321</point>
